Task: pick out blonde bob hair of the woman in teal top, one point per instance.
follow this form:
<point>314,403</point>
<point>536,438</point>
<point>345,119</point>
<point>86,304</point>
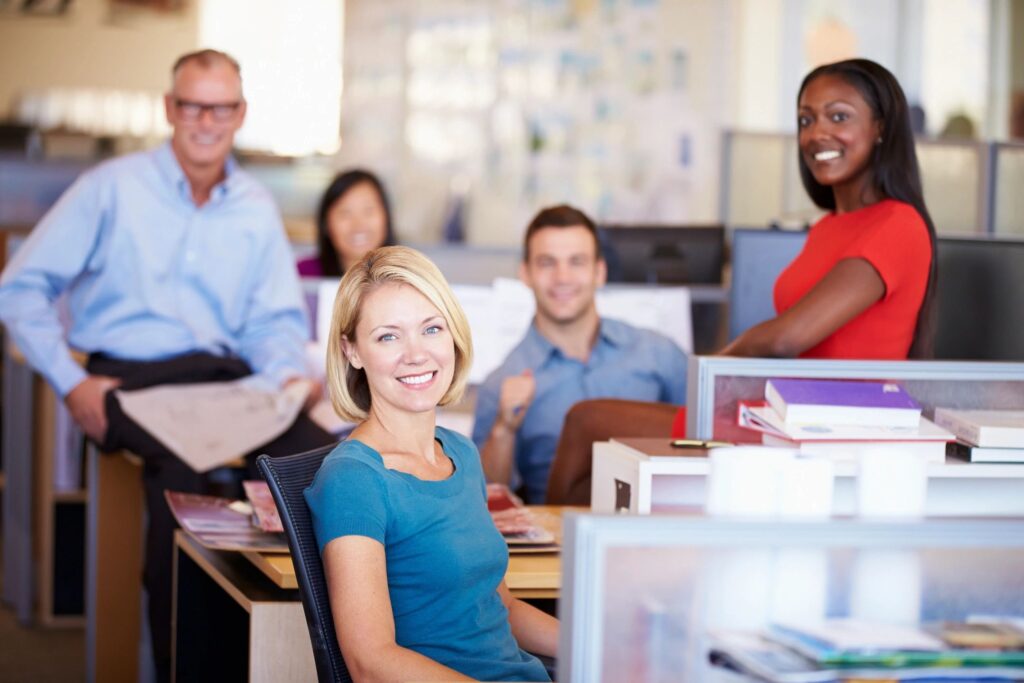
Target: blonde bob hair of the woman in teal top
<point>348,386</point>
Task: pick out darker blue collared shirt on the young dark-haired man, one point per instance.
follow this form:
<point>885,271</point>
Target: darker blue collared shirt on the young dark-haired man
<point>626,363</point>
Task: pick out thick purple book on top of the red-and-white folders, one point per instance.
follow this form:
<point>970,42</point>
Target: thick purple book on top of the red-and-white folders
<point>842,403</point>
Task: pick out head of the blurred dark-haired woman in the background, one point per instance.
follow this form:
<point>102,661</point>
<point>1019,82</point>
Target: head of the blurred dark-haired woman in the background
<point>354,219</point>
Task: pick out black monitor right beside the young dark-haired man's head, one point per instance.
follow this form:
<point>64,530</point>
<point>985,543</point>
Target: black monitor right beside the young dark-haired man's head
<point>664,255</point>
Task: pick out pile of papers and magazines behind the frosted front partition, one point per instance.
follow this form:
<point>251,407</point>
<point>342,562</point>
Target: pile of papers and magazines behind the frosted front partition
<point>852,650</point>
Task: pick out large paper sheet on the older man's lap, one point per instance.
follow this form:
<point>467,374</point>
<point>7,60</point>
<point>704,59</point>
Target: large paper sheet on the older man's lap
<point>210,424</point>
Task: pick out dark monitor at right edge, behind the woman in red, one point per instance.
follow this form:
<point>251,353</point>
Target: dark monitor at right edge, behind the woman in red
<point>980,296</point>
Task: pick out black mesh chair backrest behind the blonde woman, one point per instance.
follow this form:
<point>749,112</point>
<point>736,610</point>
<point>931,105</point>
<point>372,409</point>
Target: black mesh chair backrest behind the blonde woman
<point>288,478</point>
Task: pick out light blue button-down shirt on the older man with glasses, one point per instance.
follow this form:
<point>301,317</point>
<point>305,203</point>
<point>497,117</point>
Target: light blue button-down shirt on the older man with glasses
<point>151,276</point>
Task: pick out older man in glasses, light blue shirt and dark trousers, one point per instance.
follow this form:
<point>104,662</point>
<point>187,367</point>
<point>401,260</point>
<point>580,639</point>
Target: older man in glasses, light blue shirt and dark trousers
<point>177,270</point>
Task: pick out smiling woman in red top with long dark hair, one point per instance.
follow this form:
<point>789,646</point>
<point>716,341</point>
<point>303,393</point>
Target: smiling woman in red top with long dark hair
<point>863,287</point>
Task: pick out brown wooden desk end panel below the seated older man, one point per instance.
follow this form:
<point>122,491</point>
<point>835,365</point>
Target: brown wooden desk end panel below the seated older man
<point>114,567</point>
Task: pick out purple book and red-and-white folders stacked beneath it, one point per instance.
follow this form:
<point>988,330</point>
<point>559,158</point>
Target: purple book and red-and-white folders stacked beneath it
<point>840,419</point>
